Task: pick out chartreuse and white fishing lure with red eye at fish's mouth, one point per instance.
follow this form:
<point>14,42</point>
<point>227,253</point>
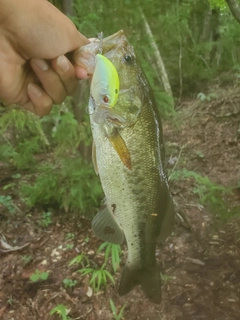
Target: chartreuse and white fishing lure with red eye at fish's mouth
<point>105,83</point>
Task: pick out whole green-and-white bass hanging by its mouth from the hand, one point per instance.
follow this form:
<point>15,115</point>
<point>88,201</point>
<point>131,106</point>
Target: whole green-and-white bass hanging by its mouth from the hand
<point>129,157</point>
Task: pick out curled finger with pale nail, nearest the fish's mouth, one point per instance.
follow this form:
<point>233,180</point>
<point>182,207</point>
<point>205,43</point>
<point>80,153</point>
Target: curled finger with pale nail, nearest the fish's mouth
<point>66,72</point>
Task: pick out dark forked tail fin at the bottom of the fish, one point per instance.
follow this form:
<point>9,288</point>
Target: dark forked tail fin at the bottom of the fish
<point>148,278</point>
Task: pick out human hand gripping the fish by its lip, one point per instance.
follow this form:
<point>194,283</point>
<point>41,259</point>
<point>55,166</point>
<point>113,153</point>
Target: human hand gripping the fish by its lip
<point>34,37</point>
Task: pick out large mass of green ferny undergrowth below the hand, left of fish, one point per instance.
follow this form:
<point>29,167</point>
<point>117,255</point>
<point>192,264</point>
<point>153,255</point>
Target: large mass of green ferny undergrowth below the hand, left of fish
<point>62,180</point>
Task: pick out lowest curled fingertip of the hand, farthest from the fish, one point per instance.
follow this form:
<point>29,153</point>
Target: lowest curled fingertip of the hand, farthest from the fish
<point>39,102</point>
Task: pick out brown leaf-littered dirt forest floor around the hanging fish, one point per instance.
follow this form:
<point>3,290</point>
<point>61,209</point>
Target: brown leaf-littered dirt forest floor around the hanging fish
<point>200,267</point>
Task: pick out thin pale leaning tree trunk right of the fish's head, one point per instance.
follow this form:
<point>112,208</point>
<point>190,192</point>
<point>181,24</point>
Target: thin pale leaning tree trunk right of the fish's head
<point>157,56</point>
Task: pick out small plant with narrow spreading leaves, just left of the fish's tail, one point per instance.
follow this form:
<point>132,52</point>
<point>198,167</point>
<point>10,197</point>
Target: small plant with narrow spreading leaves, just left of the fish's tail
<point>99,277</point>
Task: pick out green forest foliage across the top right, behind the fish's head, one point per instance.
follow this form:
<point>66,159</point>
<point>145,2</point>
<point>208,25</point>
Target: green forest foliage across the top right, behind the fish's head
<point>203,39</point>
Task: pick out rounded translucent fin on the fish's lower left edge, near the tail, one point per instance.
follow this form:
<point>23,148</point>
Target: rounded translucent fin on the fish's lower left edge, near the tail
<point>105,227</point>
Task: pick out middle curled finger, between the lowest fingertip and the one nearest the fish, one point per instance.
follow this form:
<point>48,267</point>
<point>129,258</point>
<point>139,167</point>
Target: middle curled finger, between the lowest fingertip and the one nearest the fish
<point>49,79</point>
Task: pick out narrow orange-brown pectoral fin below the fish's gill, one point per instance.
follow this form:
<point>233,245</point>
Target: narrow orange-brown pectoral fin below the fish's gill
<point>120,147</point>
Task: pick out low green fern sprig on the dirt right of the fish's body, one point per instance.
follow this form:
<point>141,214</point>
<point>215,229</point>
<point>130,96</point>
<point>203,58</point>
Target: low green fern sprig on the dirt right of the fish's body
<point>209,193</point>
